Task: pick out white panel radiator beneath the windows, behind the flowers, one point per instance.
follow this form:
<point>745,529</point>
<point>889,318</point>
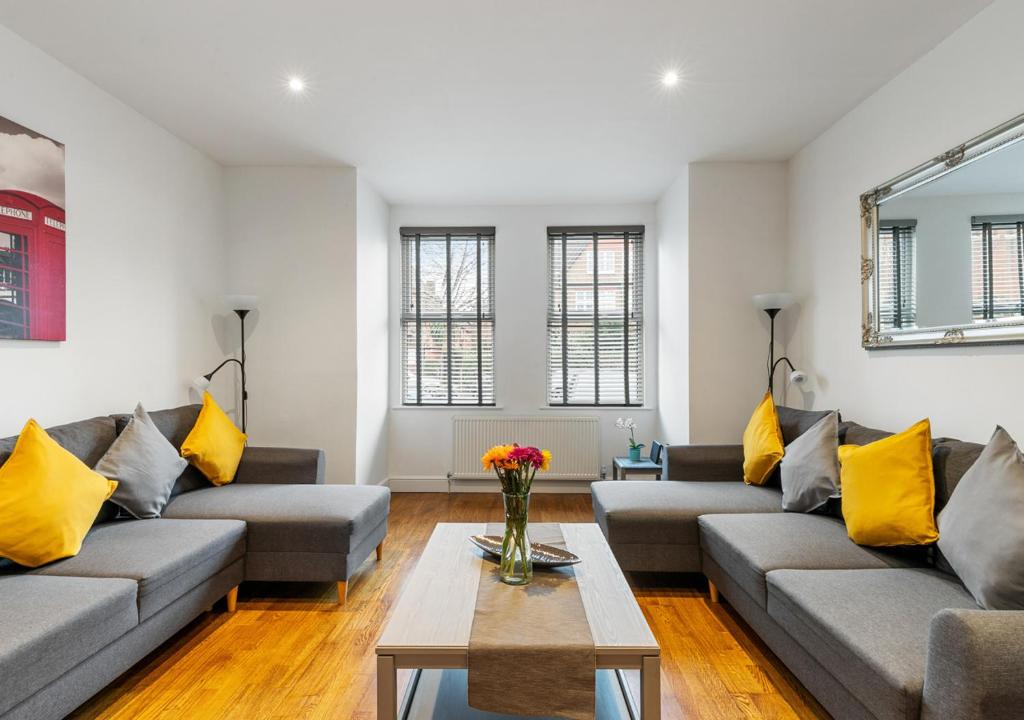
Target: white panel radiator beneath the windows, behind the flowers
<point>575,443</point>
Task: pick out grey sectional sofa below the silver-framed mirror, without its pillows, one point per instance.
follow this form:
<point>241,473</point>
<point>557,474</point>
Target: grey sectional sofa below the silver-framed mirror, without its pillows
<point>873,634</point>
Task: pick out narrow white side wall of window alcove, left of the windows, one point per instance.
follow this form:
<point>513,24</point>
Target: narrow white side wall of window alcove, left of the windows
<point>372,335</point>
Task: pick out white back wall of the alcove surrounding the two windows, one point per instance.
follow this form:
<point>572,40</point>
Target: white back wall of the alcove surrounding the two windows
<point>421,438</point>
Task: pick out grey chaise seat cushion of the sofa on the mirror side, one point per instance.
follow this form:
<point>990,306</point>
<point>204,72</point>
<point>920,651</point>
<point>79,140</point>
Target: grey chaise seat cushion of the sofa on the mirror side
<point>650,513</point>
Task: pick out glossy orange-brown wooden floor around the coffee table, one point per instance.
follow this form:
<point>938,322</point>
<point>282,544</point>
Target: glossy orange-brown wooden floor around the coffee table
<point>291,652</point>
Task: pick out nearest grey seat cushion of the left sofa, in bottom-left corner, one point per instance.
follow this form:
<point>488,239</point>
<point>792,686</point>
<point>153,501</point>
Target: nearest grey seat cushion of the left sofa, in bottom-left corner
<point>51,625</point>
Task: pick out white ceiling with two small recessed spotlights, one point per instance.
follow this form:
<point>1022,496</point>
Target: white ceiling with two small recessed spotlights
<point>489,102</point>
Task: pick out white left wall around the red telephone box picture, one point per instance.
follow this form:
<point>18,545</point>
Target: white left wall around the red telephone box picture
<point>146,257</point>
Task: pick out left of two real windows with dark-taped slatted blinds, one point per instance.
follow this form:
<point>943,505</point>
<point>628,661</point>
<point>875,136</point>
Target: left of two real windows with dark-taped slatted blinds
<point>448,316</point>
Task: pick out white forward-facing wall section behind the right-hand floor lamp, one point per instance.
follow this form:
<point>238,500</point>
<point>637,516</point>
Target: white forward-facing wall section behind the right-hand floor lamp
<point>738,244</point>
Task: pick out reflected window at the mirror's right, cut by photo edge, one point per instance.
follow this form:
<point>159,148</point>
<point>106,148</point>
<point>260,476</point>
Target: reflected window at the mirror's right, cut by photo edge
<point>997,268</point>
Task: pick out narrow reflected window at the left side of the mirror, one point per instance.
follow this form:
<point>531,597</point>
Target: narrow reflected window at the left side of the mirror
<point>897,278</point>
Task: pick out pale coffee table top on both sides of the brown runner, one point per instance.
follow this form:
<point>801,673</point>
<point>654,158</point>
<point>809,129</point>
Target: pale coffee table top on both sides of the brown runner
<point>435,615</point>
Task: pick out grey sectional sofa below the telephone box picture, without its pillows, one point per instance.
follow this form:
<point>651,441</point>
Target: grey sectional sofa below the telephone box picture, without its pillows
<point>70,628</point>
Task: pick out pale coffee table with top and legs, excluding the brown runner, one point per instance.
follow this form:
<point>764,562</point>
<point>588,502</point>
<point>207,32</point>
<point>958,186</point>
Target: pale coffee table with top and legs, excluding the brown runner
<point>432,623</point>
